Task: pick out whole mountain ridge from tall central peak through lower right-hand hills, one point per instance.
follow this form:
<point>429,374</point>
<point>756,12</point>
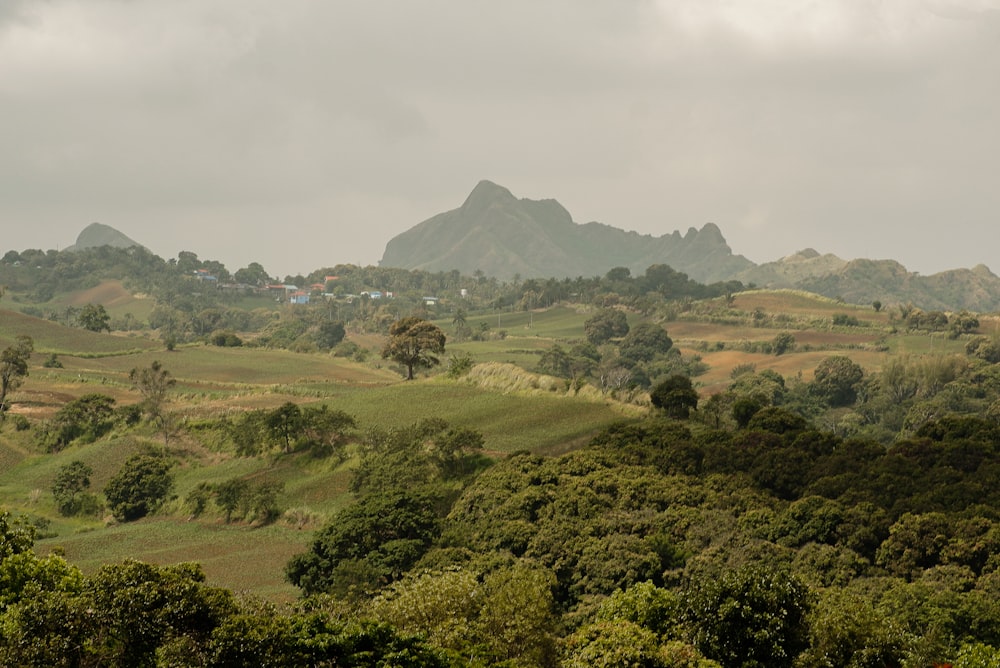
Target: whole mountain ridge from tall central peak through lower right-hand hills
<point>495,232</point>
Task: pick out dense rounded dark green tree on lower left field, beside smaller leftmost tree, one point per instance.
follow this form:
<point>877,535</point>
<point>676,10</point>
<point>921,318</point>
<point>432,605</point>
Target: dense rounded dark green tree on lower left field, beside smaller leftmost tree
<point>140,487</point>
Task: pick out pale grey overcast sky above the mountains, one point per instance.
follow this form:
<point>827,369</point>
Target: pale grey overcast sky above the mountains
<point>306,133</point>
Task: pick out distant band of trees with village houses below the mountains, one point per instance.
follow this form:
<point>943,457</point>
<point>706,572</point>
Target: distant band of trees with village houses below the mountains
<point>220,311</point>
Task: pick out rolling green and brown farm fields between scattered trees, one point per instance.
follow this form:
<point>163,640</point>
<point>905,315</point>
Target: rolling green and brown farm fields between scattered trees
<point>513,413</point>
